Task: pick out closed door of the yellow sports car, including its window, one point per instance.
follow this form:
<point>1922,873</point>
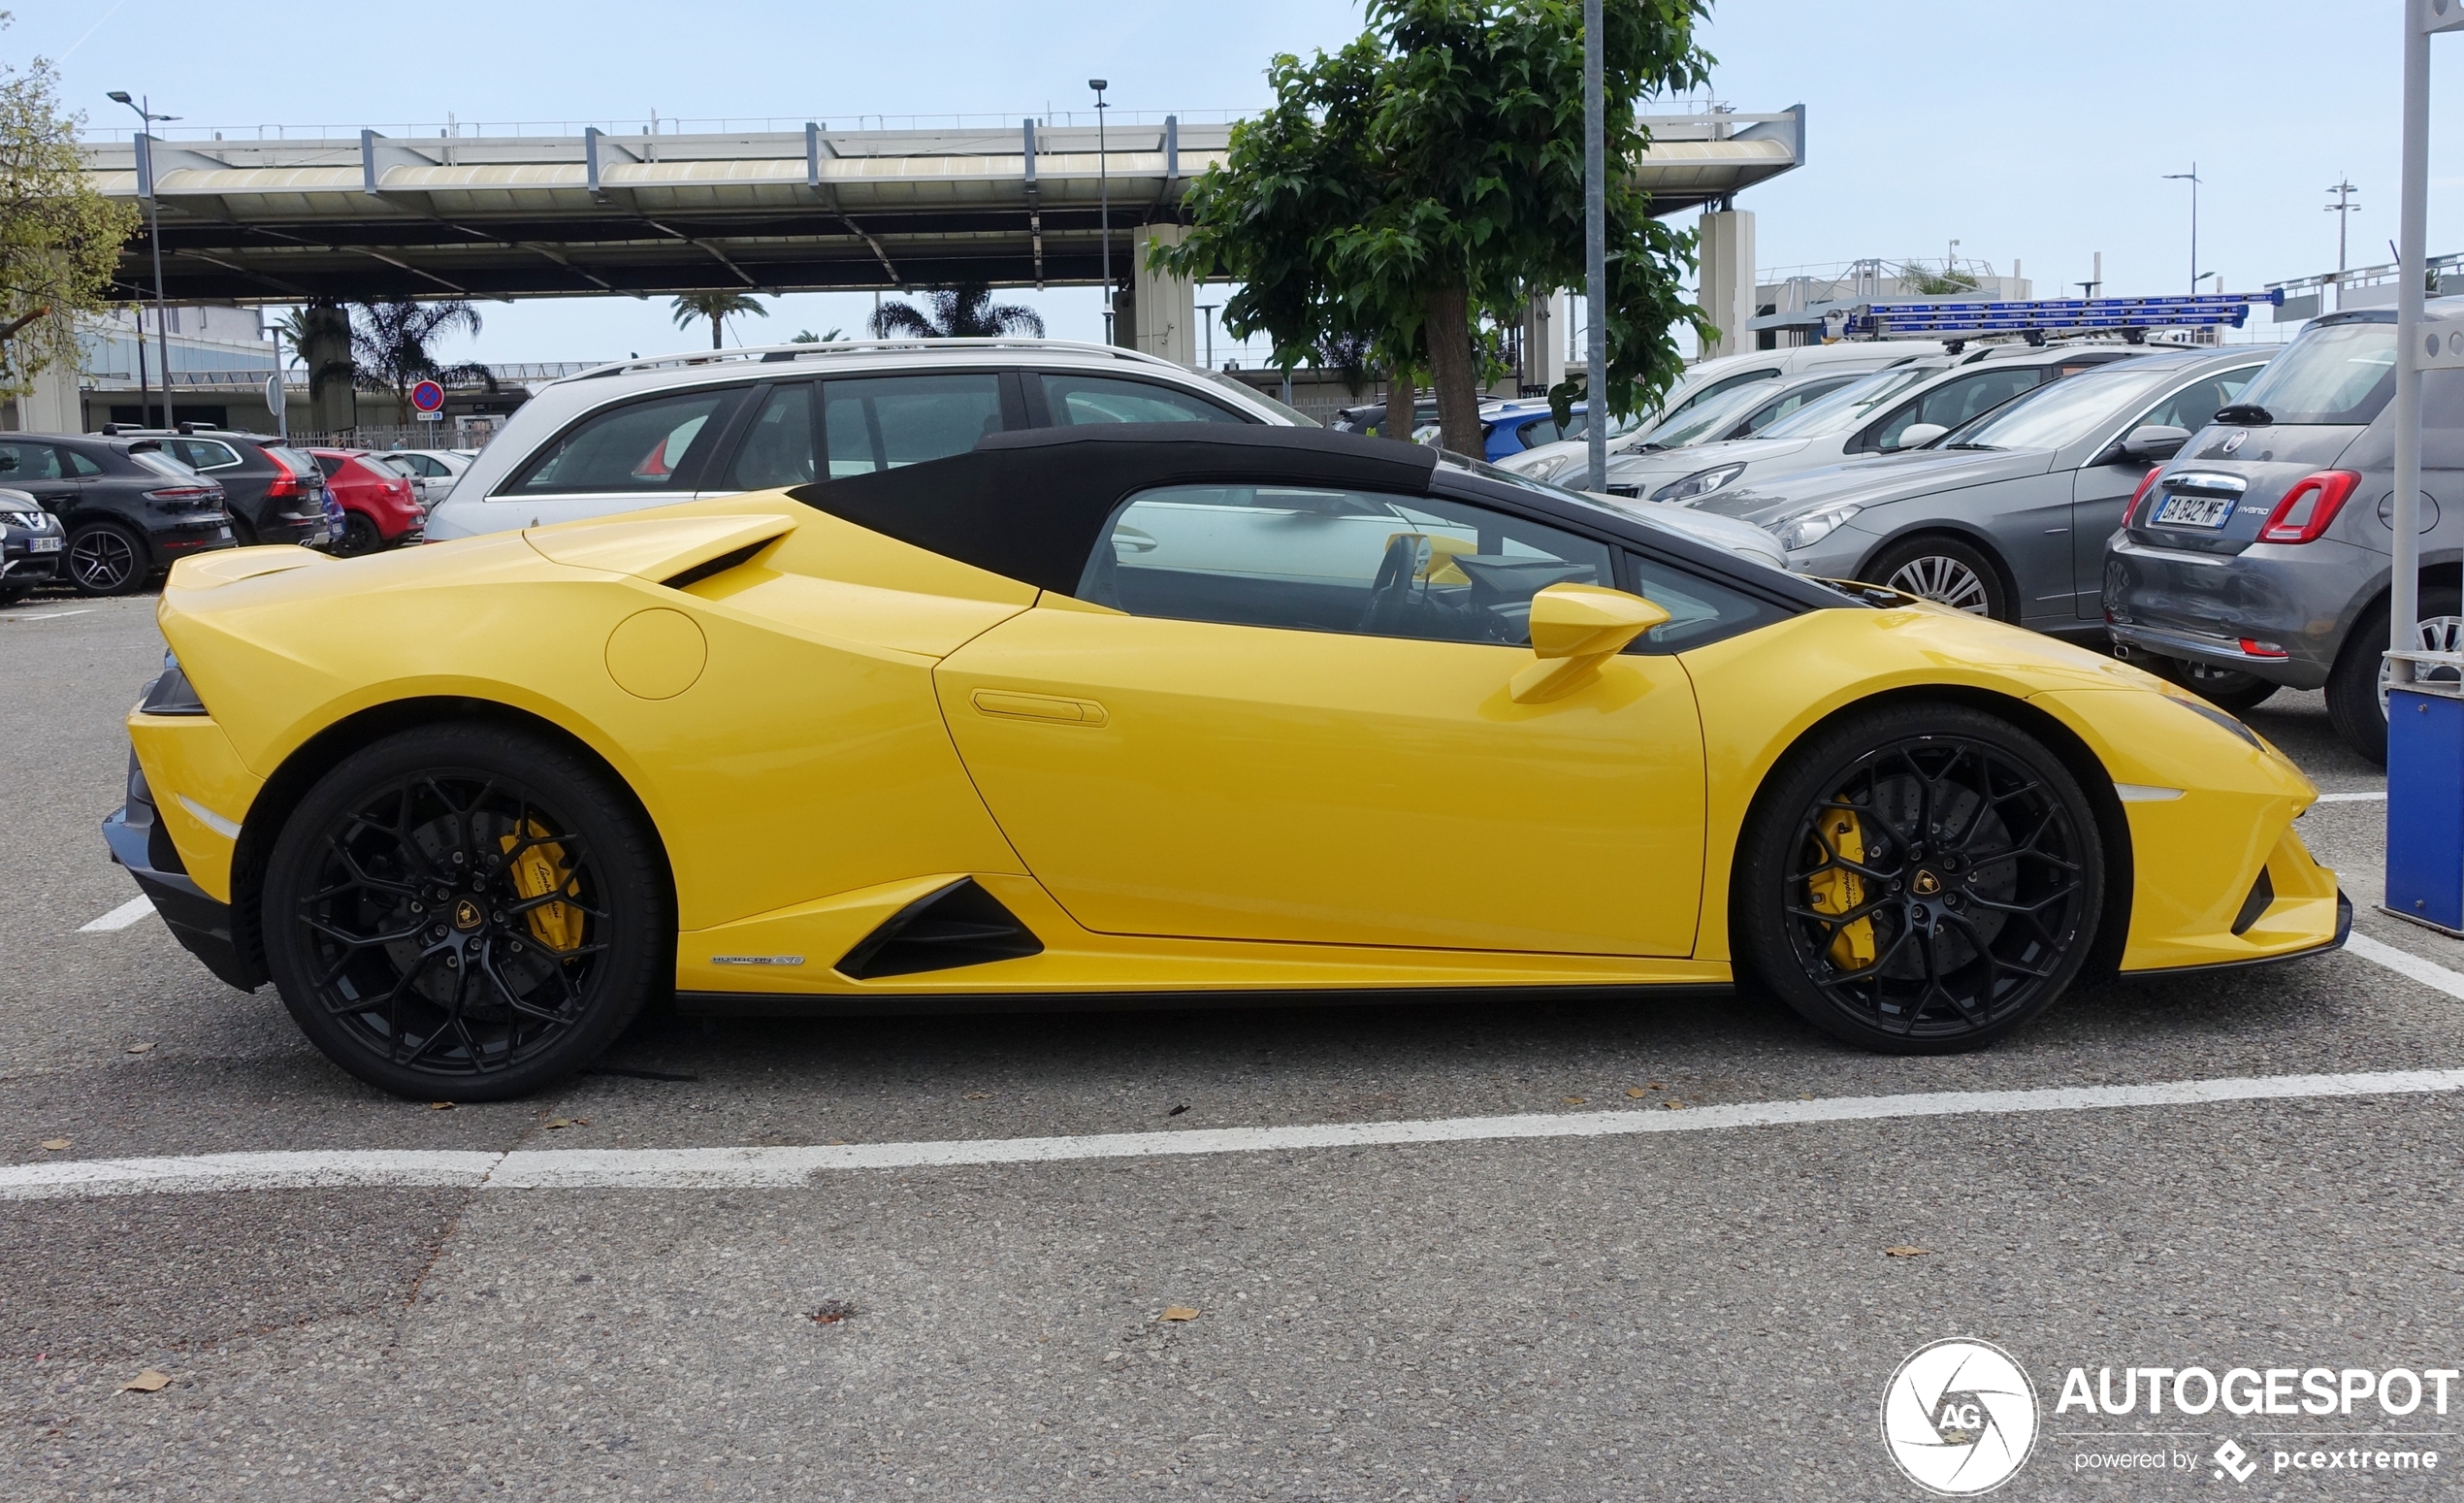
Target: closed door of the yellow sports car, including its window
<point>1285,716</point>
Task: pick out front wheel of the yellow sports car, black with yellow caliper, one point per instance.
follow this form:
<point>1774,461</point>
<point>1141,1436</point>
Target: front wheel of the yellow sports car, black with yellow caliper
<point>1987,854</point>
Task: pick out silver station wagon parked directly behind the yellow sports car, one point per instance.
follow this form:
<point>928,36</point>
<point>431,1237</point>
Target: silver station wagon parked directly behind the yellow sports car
<point>654,432</point>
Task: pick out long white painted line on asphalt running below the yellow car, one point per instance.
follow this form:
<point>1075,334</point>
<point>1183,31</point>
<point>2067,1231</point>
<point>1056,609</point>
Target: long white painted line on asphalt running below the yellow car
<point>721,1169</point>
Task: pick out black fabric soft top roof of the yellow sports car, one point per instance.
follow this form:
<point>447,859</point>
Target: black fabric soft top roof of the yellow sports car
<point>1031,504</point>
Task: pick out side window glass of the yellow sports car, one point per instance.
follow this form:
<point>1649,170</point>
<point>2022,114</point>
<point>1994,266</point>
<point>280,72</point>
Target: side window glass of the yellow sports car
<point>1334,561</point>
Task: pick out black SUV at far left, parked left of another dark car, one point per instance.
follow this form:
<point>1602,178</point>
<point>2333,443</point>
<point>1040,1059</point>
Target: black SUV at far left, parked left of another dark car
<point>129,509</point>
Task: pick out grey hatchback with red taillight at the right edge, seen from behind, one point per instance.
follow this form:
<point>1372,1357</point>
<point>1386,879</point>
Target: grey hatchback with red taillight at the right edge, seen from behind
<point>2261,551</point>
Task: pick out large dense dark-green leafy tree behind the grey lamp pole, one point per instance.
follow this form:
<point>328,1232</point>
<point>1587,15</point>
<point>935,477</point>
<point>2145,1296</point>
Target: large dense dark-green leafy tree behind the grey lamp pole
<point>1430,174</point>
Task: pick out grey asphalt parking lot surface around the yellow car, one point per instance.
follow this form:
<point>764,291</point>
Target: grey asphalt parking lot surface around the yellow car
<point>1627,1315</point>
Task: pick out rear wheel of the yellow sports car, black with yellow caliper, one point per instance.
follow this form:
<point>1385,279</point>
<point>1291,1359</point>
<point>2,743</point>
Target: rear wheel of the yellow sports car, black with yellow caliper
<point>413,915</point>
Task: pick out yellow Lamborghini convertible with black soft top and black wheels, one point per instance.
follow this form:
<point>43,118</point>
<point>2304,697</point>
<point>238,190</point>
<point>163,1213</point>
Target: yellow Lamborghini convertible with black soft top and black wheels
<point>1157,716</point>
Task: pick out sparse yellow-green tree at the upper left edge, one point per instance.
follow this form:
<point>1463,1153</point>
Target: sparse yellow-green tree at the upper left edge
<point>60,243</point>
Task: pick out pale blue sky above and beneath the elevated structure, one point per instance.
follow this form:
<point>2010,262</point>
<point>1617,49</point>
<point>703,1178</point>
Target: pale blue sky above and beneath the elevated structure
<point>2027,132</point>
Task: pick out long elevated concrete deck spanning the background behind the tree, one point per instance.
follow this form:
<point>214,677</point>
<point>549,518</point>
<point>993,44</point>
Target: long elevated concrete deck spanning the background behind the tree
<point>763,211</point>
